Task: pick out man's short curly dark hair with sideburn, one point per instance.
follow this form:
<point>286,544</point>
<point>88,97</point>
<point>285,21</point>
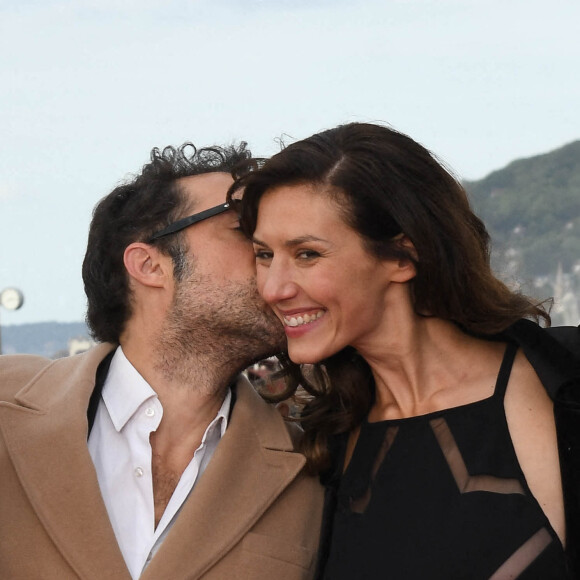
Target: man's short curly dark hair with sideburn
<point>132,212</point>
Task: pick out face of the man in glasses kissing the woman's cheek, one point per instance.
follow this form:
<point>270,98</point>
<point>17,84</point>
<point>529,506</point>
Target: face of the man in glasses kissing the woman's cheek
<point>216,306</point>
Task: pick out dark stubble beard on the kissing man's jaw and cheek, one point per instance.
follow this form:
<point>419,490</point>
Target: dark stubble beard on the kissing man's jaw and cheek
<point>216,329</point>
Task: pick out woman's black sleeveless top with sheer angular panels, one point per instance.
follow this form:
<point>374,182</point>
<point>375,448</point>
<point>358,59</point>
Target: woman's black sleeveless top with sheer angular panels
<point>441,496</point>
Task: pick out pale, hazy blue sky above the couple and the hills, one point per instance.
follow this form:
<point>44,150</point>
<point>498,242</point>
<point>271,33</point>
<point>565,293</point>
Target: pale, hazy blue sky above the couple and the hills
<point>89,87</point>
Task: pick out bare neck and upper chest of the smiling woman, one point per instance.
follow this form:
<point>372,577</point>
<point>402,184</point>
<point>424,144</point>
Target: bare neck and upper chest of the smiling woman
<point>429,364</point>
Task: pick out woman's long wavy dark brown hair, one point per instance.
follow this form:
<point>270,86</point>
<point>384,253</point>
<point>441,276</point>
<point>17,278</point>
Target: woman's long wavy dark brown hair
<point>386,184</point>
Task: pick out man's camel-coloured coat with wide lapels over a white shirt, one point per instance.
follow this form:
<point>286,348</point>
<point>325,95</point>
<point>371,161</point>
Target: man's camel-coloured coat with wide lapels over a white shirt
<point>252,515</point>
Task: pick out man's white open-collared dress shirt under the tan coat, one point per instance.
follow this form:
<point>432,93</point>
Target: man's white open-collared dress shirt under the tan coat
<point>128,412</point>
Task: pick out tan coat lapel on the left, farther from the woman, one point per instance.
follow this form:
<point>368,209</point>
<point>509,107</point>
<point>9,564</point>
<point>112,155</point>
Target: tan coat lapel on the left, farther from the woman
<point>46,438</point>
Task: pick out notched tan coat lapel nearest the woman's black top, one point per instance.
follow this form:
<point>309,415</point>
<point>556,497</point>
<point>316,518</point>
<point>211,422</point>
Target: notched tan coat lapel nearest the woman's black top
<point>252,465</point>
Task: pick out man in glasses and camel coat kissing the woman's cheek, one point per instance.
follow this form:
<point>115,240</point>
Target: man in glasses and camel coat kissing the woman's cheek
<point>145,457</point>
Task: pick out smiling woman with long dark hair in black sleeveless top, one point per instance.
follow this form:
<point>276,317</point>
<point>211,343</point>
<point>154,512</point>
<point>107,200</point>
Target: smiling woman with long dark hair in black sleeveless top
<point>430,424</point>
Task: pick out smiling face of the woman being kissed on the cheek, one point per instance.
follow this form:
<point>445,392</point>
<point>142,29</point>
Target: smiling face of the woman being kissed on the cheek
<point>315,273</point>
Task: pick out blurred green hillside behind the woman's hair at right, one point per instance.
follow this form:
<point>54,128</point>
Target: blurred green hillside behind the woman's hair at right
<point>532,211</point>
